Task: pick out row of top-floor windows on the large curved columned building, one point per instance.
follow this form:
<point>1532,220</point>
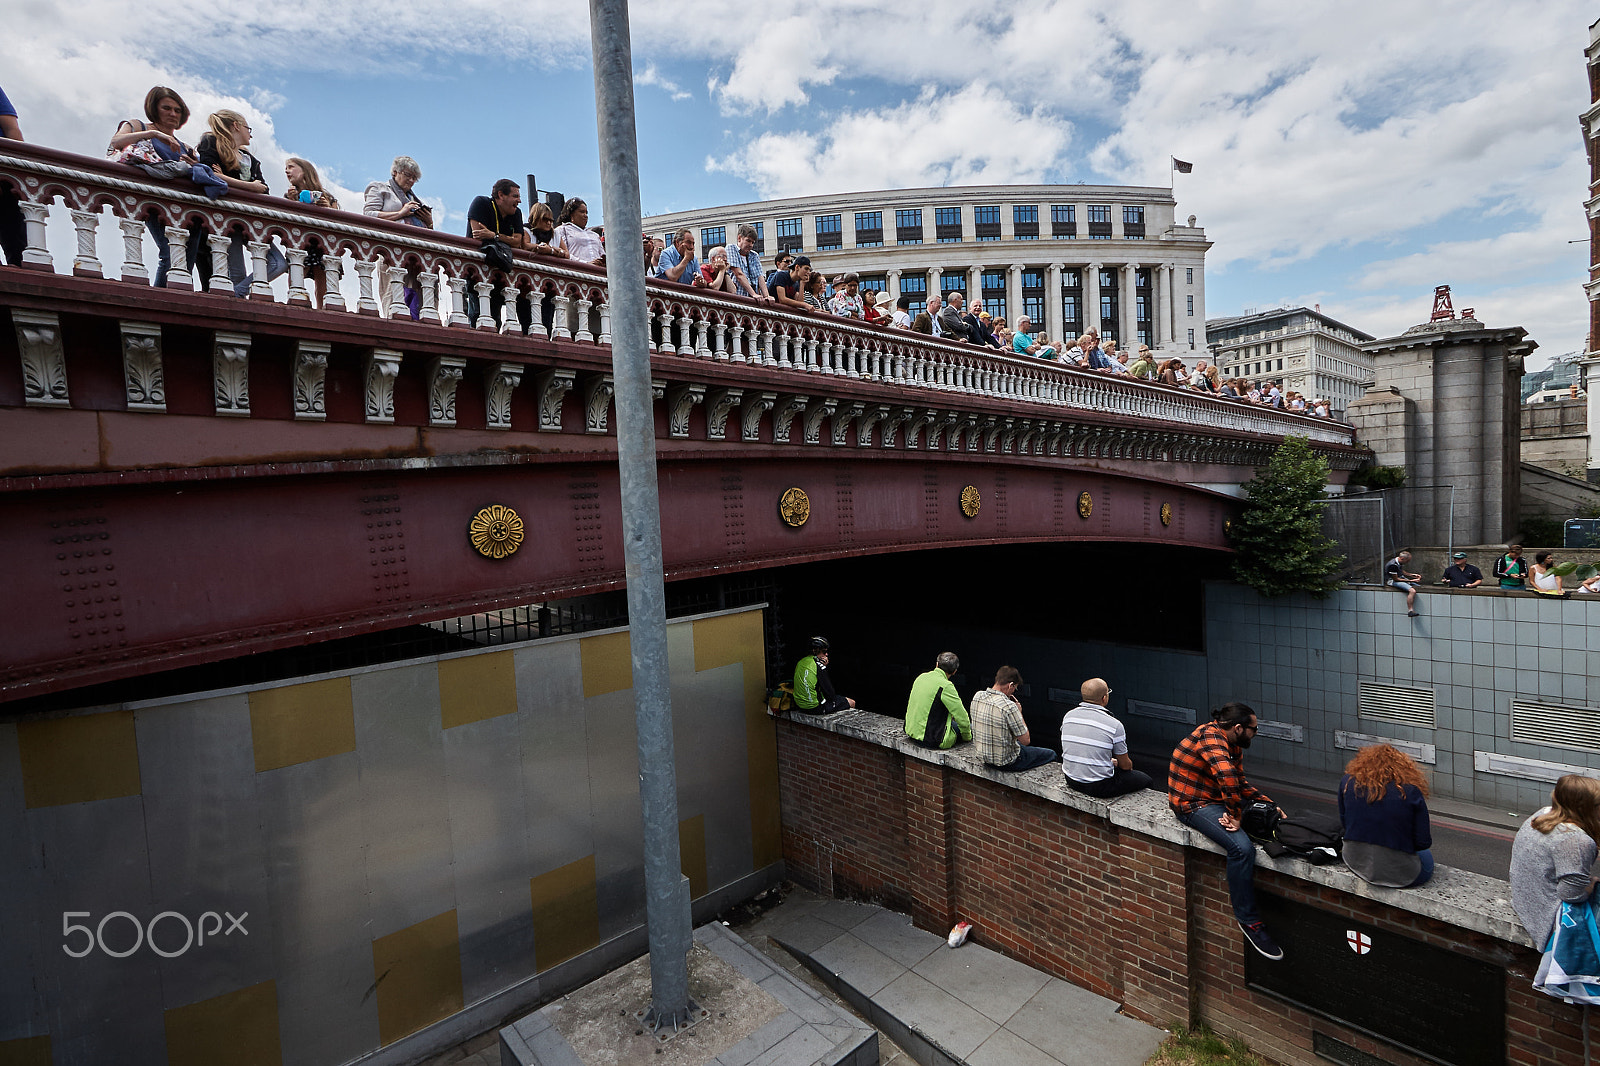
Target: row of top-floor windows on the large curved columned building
<point>946,225</point>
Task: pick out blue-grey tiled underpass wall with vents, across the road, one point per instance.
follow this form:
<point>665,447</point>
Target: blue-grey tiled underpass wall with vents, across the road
<point>1302,663</point>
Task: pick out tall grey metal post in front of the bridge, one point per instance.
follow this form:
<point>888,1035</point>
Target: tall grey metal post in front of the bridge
<point>666,889</point>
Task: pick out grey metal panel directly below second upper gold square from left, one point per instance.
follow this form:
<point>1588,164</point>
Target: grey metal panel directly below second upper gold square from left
<point>311,825</point>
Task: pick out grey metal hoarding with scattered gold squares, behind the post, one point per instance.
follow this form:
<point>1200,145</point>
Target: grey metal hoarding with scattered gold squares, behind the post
<point>414,851</point>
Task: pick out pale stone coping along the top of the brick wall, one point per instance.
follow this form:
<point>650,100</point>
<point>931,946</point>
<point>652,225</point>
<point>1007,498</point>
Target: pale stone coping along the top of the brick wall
<point>1455,897</point>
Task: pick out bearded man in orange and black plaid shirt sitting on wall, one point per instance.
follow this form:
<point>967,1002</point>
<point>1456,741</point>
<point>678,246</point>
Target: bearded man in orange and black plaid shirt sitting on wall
<point>1207,788</point>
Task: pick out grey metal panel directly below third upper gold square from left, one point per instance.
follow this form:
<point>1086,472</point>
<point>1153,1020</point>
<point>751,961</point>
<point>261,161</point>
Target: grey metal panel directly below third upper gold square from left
<point>489,827</point>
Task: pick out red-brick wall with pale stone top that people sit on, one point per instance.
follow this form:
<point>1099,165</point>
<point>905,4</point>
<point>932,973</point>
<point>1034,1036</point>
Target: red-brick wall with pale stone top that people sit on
<point>1110,899</point>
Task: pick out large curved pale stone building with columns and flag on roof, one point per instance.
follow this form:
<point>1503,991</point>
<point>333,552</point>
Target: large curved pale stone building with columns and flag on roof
<point>1070,257</point>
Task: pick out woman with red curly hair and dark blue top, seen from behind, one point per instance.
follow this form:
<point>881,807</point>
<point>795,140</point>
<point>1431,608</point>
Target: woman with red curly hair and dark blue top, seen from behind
<point>1385,812</point>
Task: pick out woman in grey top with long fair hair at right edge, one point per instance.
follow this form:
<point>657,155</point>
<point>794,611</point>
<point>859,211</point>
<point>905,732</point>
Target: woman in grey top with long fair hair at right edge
<point>1553,854</point>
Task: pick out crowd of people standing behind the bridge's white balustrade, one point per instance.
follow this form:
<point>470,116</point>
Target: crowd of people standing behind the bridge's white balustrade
<point>222,164</point>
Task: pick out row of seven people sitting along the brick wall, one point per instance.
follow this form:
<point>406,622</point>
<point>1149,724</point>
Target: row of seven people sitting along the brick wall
<point>1383,833</point>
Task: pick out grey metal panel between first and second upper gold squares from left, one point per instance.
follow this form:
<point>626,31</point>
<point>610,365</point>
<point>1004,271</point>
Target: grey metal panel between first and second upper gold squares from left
<point>201,816</point>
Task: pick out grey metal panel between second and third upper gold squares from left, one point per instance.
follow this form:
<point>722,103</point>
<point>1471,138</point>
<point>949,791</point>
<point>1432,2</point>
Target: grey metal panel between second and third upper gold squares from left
<point>399,742</point>
